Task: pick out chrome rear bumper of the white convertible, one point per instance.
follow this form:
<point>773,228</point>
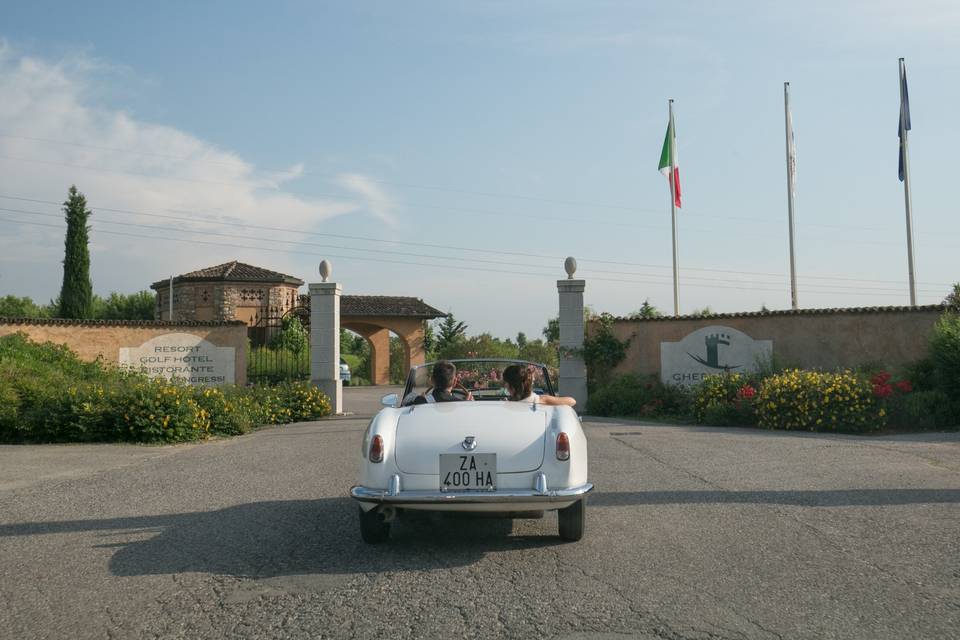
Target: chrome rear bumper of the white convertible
<point>364,494</point>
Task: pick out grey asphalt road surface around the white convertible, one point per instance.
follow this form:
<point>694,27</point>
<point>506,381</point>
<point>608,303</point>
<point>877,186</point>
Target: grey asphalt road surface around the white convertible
<point>692,533</point>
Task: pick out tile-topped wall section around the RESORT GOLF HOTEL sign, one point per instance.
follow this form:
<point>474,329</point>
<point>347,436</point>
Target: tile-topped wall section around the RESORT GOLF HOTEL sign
<point>90,339</point>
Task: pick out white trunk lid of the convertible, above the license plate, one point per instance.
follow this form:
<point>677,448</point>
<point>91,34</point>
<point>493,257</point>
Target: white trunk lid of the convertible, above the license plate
<point>515,431</point>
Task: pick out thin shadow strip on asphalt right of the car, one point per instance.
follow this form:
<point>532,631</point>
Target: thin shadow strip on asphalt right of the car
<point>812,498</point>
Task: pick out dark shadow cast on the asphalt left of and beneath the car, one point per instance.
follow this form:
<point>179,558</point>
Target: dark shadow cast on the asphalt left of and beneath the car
<point>278,538</point>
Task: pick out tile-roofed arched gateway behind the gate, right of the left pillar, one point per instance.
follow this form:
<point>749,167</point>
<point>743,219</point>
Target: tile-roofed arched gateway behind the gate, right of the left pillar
<point>374,317</point>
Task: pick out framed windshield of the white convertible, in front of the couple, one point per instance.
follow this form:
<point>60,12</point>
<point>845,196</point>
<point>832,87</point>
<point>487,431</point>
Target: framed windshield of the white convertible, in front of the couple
<point>482,378</point>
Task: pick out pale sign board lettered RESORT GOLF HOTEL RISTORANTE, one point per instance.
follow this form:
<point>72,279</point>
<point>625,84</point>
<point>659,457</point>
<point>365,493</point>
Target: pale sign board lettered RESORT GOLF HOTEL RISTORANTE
<point>182,355</point>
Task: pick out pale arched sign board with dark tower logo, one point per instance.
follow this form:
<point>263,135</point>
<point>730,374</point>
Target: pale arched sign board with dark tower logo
<point>711,350</point>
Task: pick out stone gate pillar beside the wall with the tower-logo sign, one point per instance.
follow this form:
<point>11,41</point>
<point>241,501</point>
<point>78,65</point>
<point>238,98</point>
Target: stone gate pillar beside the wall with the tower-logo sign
<point>573,371</point>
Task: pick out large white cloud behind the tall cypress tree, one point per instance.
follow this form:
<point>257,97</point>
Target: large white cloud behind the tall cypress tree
<point>53,134</point>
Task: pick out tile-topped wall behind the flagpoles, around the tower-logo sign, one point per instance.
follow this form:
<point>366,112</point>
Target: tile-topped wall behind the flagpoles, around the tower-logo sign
<point>825,339</point>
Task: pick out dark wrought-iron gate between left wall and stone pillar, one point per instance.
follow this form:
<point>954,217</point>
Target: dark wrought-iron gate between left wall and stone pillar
<point>279,346</point>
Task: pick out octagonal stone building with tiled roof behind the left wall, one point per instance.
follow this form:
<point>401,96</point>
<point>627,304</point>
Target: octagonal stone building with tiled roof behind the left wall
<point>230,291</point>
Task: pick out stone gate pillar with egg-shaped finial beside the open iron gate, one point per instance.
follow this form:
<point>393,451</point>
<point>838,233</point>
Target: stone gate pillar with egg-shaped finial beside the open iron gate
<point>325,338</point>
